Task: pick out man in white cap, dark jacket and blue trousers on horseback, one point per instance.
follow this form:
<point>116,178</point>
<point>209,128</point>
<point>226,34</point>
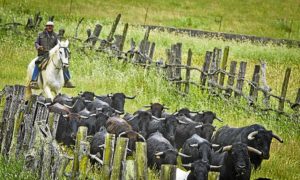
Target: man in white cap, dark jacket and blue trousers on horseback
<point>45,41</point>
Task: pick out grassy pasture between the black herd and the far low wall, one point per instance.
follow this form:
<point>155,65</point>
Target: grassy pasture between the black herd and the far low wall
<point>99,74</point>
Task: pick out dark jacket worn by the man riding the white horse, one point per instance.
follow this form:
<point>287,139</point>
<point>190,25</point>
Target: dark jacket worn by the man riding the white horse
<point>46,39</point>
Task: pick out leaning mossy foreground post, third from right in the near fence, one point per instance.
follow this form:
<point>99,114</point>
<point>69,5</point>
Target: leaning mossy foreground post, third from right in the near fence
<point>119,158</point>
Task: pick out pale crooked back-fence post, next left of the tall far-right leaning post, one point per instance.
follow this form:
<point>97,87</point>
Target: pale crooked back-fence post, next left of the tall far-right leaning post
<point>265,87</point>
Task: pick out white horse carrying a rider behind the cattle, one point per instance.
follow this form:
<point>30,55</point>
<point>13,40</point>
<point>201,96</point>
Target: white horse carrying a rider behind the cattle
<point>52,79</point>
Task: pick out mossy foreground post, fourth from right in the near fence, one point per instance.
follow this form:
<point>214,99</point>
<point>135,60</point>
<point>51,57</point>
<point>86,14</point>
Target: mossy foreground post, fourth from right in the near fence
<point>108,154</point>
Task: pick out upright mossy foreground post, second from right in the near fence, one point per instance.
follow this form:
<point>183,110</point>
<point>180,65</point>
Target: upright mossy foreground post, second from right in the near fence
<point>141,161</point>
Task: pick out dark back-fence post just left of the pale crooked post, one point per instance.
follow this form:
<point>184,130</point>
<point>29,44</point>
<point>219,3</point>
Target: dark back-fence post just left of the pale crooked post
<point>254,85</point>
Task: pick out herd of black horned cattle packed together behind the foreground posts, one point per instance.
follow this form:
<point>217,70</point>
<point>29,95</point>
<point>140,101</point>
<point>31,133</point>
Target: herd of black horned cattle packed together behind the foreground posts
<point>231,151</point>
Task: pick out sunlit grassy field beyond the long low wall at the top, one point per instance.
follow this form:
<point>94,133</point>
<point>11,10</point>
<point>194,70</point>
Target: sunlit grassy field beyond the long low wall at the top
<point>271,18</point>
